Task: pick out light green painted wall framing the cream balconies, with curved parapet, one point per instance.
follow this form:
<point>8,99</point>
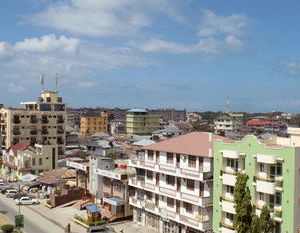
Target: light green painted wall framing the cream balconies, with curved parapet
<point>250,146</point>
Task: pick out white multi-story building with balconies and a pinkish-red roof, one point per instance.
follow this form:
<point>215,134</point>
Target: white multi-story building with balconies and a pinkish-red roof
<point>173,184</point>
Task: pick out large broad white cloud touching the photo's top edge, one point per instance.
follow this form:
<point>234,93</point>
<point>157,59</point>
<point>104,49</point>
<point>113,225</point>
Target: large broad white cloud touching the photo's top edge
<point>103,18</point>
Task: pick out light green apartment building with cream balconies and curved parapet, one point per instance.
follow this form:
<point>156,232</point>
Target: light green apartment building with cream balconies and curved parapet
<point>274,179</point>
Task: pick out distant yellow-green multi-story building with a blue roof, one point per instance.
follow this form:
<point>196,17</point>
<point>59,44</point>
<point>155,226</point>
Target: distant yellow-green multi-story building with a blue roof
<point>140,122</point>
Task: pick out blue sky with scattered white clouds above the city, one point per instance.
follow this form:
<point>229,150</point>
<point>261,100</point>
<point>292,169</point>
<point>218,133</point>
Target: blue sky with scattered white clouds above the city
<point>153,53</point>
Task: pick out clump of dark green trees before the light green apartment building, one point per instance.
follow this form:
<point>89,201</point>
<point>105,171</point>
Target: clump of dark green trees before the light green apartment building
<point>245,219</point>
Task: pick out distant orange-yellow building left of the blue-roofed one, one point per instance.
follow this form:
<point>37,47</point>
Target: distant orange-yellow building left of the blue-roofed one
<point>92,124</point>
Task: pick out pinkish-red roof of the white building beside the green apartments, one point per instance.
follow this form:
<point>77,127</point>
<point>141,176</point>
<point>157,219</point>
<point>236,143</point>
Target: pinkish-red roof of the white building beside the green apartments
<point>196,143</point>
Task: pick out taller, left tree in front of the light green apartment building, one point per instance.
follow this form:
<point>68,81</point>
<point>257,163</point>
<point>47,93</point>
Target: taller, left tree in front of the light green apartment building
<point>242,203</point>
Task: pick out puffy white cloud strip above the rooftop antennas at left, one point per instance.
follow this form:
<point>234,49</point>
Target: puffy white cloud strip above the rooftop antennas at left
<point>48,43</point>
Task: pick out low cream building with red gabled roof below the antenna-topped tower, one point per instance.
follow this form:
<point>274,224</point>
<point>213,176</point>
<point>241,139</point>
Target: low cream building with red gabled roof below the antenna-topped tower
<point>22,158</point>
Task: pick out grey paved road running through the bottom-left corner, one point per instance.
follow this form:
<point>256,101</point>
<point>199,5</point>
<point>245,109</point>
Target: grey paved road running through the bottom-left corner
<point>34,222</point>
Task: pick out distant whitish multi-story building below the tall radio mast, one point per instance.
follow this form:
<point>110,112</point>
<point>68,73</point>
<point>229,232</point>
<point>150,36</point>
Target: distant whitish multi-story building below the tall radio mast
<point>232,122</point>
